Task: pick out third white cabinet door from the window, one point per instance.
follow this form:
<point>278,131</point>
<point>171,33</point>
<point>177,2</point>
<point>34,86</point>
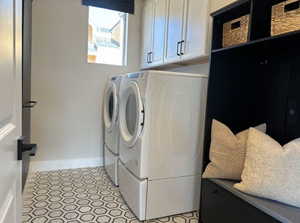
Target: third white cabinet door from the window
<point>176,11</point>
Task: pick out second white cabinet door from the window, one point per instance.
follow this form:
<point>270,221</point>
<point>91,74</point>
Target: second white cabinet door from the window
<point>159,32</point>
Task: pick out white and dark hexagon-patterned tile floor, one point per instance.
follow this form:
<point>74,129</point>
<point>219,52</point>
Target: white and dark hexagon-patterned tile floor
<point>77,196</point>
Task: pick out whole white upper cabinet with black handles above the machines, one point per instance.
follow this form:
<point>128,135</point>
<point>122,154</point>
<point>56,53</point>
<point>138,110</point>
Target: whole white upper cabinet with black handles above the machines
<point>176,30</point>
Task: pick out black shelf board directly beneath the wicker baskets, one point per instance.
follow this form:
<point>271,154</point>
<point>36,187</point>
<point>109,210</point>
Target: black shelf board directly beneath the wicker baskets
<point>292,36</point>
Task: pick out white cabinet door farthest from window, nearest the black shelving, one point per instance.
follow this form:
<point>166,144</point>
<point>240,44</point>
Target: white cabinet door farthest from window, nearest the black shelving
<point>196,43</point>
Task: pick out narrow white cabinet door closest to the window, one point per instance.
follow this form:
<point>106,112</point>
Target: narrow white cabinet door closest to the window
<point>147,32</point>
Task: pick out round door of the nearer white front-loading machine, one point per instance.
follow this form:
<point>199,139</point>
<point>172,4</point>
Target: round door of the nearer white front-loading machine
<point>131,114</point>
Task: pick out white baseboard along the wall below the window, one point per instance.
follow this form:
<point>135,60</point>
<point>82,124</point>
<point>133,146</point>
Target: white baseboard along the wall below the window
<point>36,166</point>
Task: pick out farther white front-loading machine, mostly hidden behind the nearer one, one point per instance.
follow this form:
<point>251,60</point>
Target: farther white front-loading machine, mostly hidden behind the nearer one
<point>111,128</point>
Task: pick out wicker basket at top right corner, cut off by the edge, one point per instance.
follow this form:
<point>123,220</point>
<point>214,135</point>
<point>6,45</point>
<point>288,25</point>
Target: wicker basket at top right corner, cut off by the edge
<point>285,17</point>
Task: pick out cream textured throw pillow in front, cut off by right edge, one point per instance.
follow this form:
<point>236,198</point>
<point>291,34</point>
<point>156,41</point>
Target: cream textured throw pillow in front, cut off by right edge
<point>271,171</point>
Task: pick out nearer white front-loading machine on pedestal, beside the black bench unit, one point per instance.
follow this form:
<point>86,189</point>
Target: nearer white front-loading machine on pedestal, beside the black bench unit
<point>161,122</point>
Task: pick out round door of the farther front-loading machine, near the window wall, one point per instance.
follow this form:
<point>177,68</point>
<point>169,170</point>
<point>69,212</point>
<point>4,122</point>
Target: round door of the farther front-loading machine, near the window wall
<point>110,106</point>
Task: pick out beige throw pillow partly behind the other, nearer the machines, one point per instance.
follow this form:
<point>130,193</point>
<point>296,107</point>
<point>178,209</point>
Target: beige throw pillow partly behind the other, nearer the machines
<point>227,152</point>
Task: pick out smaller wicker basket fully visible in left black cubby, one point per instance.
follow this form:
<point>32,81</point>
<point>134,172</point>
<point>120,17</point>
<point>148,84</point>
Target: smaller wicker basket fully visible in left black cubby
<point>236,31</point>
